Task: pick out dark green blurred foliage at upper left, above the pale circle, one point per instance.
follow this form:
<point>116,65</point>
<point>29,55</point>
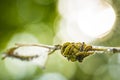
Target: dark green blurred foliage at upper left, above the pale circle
<point>33,16</point>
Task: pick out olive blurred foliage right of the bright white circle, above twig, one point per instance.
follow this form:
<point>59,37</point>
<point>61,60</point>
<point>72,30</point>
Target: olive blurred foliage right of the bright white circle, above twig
<point>112,39</point>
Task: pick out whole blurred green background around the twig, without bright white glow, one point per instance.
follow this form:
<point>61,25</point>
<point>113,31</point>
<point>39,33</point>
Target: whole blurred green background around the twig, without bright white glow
<point>35,21</point>
